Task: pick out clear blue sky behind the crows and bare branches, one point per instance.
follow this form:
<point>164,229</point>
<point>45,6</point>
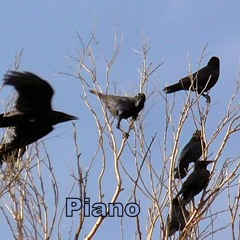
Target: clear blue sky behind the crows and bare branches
<point>46,31</point>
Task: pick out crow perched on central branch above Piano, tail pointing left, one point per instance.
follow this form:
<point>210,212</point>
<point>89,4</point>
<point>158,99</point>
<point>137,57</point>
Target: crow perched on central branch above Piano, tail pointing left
<point>122,107</point>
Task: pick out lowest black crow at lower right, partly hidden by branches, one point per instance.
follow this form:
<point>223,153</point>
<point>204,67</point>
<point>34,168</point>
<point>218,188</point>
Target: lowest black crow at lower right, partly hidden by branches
<point>179,218</point>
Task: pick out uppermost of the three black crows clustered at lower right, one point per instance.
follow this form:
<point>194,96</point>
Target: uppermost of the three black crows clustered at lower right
<point>190,153</point>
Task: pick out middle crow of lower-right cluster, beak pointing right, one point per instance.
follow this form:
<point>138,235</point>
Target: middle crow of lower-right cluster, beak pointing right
<point>195,183</point>
